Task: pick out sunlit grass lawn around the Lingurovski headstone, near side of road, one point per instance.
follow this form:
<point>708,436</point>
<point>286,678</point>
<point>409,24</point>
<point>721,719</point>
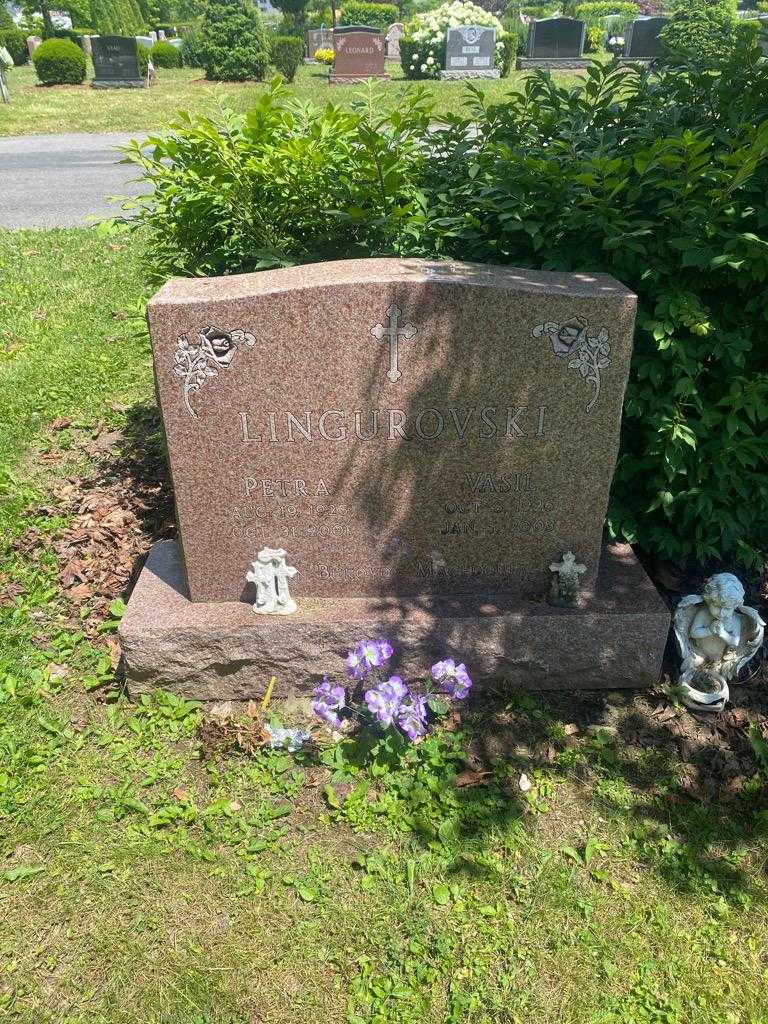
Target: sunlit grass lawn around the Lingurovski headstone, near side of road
<point>142,884</point>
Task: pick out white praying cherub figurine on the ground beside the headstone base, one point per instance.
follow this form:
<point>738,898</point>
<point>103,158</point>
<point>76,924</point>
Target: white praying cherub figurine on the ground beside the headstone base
<point>717,635</point>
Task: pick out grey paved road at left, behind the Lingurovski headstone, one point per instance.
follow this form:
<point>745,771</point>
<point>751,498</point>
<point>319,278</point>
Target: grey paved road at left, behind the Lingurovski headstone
<point>60,181</point>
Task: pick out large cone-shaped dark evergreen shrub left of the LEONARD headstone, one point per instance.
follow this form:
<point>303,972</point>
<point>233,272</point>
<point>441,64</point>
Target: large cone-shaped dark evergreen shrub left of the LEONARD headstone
<point>234,47</point>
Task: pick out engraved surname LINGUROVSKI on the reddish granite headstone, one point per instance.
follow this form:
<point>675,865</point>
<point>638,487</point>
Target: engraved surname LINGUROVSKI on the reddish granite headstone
<point>489,423</point>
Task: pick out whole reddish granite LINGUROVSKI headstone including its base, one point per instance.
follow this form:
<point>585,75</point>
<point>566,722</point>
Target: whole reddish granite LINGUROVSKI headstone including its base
<point>421,442</point>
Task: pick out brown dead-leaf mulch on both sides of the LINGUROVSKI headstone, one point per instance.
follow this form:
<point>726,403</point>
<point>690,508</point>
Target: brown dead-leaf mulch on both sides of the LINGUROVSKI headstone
<point>119,508</point>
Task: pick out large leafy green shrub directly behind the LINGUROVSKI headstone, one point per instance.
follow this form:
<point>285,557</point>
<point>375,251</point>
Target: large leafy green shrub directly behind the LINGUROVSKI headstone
<point>658,179</point>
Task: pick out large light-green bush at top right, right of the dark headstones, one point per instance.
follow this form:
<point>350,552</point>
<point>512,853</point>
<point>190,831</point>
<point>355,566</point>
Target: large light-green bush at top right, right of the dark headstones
<point>700,31</point>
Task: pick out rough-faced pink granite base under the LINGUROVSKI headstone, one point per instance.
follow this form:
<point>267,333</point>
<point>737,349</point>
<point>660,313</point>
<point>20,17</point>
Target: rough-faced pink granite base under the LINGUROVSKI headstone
<point>225,652</point>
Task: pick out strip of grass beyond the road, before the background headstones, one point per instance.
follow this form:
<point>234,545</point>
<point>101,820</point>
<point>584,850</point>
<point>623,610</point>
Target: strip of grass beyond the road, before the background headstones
<point>35,109</point>
